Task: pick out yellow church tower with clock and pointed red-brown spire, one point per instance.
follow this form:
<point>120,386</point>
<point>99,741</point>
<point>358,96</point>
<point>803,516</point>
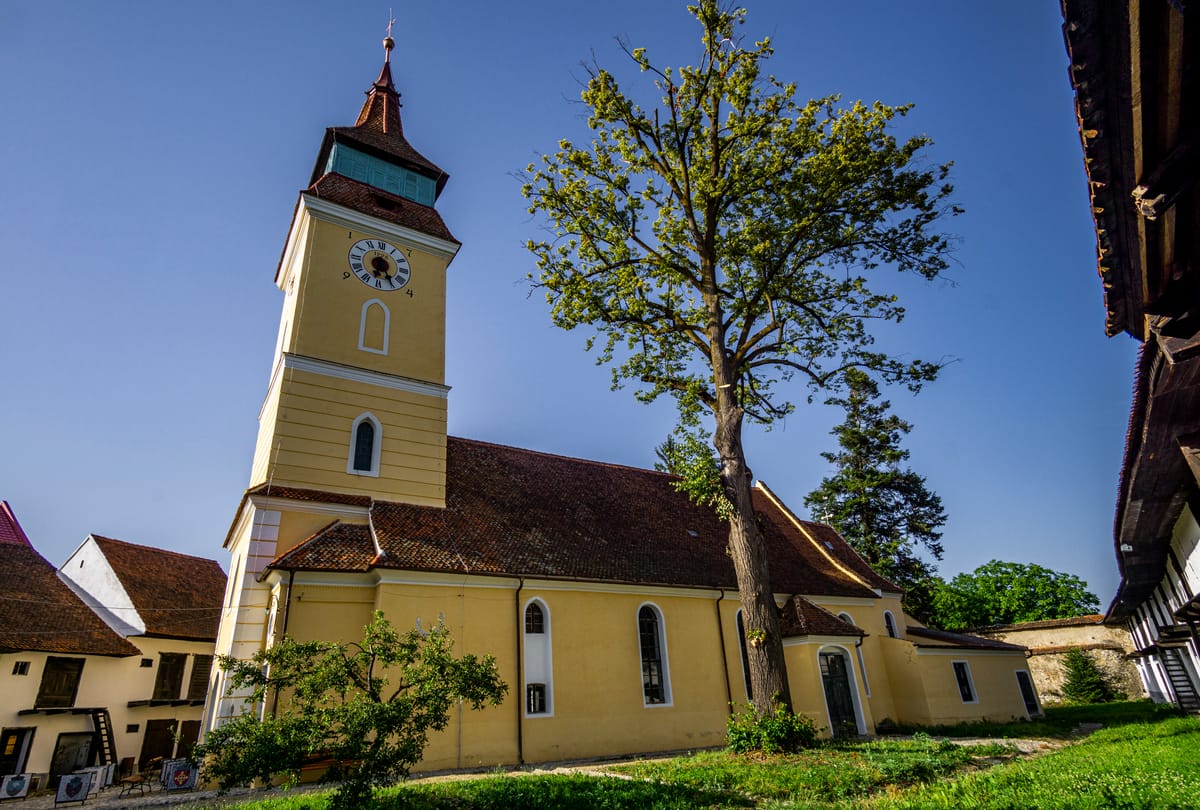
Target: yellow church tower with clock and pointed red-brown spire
<point>356,409</point>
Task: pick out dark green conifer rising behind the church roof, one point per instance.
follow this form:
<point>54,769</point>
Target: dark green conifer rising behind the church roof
<point>886,513</point>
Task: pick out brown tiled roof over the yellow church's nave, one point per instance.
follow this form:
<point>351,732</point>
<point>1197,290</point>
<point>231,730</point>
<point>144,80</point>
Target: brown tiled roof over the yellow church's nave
<point>519,513</point>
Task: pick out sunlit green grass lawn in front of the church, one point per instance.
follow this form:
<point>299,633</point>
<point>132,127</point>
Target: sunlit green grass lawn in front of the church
<point>1145,758</point>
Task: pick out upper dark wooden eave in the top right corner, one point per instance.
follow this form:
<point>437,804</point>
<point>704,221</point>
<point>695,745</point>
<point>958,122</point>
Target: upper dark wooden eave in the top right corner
<point>1133,70</point>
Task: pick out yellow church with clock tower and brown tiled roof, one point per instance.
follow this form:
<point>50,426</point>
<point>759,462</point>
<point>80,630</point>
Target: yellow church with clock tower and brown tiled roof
<point>607,596</point>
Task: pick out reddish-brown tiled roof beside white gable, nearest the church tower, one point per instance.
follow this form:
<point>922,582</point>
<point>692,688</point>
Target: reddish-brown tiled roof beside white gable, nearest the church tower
<point>177,596</point>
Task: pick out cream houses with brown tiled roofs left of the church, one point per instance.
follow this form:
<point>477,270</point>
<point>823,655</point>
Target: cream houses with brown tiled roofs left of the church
<point>105,661</point>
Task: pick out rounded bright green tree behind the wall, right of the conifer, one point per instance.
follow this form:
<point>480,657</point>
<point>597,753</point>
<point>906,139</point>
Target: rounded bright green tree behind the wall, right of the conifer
<point>1010,593</point>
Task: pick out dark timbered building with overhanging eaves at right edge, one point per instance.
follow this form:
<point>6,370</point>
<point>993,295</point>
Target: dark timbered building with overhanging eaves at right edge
<point>1133,65</point>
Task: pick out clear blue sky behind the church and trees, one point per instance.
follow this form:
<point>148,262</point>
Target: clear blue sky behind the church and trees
<point>154,153</point>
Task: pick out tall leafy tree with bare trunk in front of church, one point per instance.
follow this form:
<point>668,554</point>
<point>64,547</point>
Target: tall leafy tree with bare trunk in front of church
<point>719,242</point>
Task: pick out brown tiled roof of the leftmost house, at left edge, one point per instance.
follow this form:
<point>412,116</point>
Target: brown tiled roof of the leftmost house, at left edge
<point>41,614</point>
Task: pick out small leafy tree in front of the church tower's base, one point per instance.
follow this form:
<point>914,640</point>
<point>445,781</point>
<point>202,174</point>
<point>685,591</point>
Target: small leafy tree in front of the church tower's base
<point>337,700</point>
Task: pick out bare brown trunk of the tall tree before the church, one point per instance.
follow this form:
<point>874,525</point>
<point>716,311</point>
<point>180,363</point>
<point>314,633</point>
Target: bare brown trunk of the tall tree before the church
<point>765,645</point>
